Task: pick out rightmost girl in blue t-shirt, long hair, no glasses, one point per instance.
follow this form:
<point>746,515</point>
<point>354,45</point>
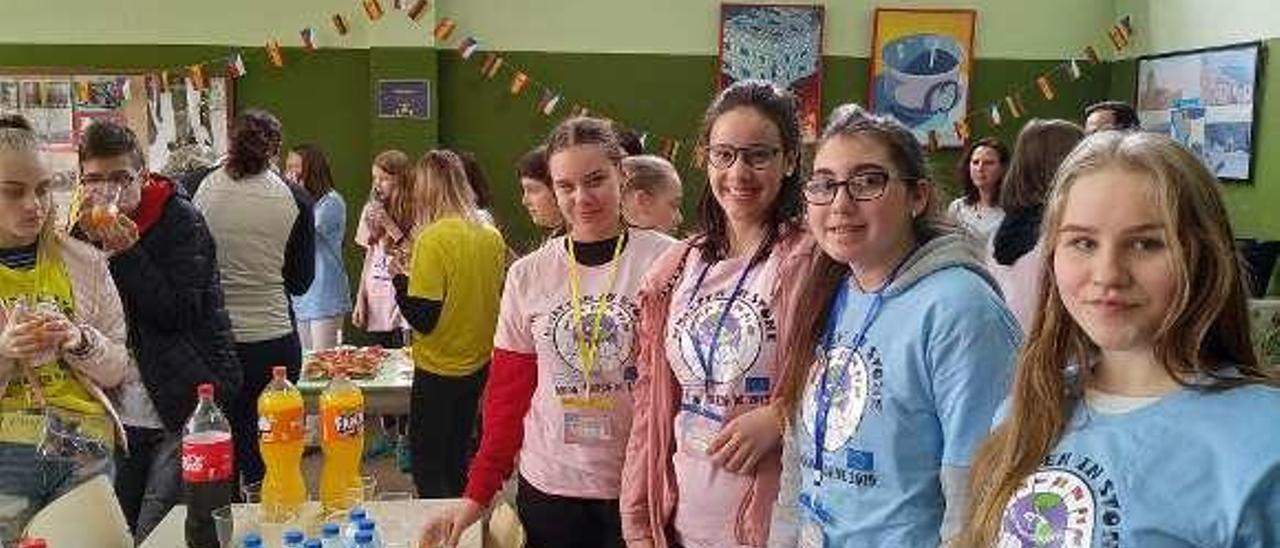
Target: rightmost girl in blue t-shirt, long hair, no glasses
<point>1140,415</point>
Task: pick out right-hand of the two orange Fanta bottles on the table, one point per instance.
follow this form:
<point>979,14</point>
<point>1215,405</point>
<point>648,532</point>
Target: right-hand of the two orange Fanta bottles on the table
<point>342,439</point>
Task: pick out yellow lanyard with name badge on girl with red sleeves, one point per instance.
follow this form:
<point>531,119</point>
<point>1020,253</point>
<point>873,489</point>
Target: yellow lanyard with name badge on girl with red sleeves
<point>589,421</point>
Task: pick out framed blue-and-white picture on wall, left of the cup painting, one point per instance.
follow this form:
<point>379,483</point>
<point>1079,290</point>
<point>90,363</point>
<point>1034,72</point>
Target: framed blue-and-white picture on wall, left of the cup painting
<point>776,43</point>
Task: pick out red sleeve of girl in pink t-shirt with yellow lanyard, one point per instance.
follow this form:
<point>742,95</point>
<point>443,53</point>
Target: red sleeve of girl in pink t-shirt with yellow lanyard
<point>508,396</point>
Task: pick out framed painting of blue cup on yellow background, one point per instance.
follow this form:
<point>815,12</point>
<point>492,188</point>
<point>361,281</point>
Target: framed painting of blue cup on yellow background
<point>922,67</point>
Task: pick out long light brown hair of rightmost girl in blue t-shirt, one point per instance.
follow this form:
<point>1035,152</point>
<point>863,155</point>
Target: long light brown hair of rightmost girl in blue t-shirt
<point>1206,334</point>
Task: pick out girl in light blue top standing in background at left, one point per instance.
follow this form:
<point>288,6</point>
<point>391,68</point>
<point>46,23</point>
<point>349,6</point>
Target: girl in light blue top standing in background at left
<point>321,312</point>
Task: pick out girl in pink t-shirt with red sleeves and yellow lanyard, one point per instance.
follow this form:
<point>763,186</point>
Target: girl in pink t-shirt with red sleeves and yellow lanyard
<point>564,363</point>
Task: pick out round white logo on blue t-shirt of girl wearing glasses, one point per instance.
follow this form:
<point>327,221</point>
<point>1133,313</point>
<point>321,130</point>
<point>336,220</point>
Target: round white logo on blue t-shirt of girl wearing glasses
<point>848,386</point>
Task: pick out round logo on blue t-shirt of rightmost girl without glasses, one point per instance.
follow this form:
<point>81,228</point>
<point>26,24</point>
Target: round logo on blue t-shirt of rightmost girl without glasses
<point>1053,509</point>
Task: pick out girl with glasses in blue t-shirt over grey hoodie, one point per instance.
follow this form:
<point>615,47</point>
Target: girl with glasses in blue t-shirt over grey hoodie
<point>900,353</point>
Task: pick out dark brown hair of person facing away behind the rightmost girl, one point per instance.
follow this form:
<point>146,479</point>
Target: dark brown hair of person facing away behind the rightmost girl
<point>1039,152</point>
